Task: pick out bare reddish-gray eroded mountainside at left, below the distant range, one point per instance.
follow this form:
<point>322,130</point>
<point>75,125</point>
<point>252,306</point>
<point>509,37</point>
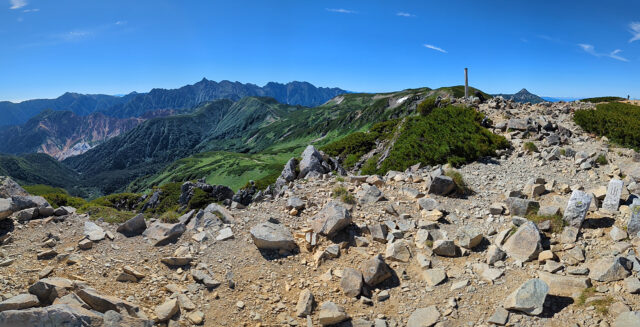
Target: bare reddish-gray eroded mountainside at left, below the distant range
<point>62,134</point>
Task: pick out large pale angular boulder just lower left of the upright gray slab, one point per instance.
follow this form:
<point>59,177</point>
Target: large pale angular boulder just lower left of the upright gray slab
<point>525,244</point>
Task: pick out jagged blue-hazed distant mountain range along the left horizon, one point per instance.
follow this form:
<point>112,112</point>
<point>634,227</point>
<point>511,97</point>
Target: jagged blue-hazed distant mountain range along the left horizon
<point>186,97</point>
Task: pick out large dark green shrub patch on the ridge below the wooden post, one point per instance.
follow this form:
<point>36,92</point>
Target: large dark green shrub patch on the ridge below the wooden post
<point>452,134</point>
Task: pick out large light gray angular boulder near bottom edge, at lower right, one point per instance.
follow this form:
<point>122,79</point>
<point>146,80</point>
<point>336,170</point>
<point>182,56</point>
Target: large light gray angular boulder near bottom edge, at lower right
<point>528,298</point>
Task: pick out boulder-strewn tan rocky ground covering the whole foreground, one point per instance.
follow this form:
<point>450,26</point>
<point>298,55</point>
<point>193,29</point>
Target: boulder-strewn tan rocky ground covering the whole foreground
<point>547,237</point>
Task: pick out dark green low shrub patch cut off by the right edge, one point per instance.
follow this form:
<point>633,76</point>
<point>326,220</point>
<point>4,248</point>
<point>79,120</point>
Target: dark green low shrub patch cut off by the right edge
<point>617,121</point>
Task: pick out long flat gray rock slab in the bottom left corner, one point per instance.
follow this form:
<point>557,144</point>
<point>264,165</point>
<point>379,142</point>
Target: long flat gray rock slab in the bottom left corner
<point>54,315</point>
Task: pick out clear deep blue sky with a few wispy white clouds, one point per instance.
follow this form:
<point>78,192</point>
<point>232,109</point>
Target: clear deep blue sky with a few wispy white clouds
<point>552,48</point>
